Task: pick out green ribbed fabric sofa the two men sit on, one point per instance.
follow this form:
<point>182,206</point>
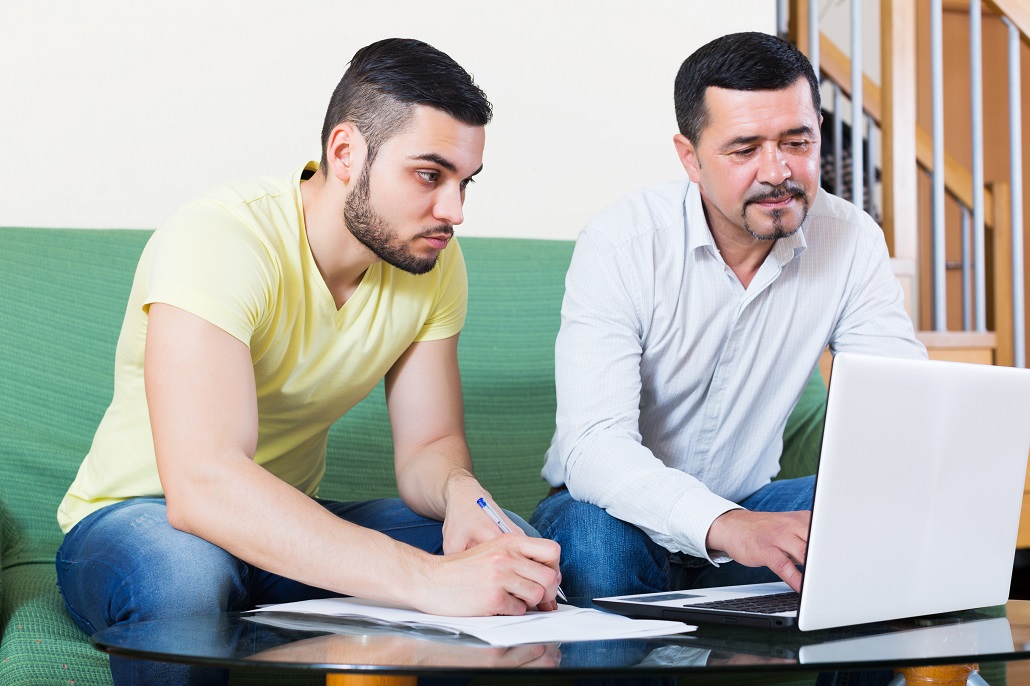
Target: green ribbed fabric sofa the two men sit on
<point>62,298</point>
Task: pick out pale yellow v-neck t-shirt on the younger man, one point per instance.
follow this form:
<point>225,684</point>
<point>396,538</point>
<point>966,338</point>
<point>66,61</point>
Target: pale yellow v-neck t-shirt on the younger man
<point>241,260</point>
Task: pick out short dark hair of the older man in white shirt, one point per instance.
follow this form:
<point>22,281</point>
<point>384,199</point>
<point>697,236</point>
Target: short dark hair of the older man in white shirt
<point>748,61</point>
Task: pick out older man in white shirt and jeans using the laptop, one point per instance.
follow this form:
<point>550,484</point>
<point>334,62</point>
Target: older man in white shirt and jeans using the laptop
<point>708,304</point>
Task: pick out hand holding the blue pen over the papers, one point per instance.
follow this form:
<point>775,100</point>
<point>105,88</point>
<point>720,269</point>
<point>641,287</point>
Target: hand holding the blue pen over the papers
<point>505,576</point>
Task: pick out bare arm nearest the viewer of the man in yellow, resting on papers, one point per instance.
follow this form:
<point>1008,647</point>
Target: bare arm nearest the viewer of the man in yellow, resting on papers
<point>202,401</point>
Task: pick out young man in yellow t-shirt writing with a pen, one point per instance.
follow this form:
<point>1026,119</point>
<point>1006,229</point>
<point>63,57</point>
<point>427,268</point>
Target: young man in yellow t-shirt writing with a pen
<point>259,316</point>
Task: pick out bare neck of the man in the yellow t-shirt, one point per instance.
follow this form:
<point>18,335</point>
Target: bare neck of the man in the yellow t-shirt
<point>342,261</point>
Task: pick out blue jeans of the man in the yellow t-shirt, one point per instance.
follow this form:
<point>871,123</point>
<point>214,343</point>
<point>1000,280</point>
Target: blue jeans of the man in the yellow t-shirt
<point>126,564</point>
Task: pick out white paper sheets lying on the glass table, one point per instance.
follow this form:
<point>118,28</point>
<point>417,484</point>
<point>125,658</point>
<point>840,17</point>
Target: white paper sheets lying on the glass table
<point>565,625</point>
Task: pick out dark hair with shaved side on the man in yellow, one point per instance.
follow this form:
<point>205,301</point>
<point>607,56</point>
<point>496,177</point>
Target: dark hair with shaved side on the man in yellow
<point>387,80</point>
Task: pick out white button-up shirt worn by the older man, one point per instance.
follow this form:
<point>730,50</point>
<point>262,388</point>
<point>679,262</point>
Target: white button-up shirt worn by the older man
<point>675,383</point>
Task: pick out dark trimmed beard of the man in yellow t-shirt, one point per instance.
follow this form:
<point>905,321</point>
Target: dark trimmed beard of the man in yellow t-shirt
<point>375,233</point>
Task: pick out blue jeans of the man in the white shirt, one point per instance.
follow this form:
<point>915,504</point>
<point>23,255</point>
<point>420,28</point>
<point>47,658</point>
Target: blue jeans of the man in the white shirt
<point>602,556</point>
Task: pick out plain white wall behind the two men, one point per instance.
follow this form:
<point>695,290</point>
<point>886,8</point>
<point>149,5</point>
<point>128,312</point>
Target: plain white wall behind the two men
<point>115,113</point>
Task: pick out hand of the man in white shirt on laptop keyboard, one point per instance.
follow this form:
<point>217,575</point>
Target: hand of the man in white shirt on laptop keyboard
<point>776,540</point>
